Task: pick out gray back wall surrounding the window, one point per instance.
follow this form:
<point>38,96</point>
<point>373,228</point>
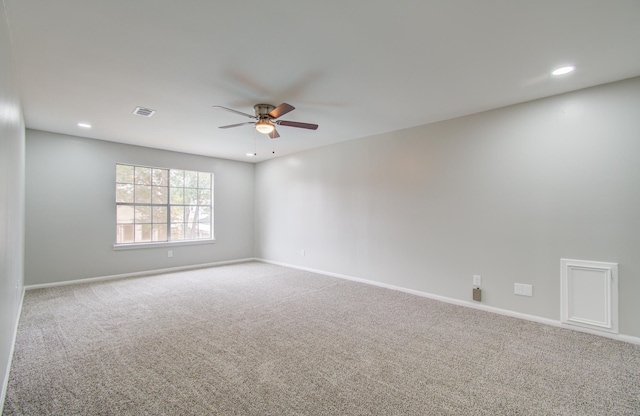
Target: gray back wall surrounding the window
<point>70,209</point>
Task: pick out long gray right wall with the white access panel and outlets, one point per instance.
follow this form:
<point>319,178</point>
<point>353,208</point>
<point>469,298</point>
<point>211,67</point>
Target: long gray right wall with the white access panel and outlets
<point>504,194</point>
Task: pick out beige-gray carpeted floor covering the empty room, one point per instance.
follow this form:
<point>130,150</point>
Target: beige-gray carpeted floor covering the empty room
<point>259,339</point>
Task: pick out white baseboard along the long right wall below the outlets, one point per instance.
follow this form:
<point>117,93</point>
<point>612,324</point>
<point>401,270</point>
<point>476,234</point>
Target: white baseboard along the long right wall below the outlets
<point>468,304</point>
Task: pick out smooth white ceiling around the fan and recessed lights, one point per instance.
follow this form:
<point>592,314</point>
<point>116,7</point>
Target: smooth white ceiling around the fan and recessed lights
<point>355,67</point>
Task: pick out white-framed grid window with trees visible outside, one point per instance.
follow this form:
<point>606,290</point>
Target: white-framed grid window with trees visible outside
<point>162,205</point>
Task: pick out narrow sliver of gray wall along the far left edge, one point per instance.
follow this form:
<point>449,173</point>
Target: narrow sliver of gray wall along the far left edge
<point>11,203</point>
